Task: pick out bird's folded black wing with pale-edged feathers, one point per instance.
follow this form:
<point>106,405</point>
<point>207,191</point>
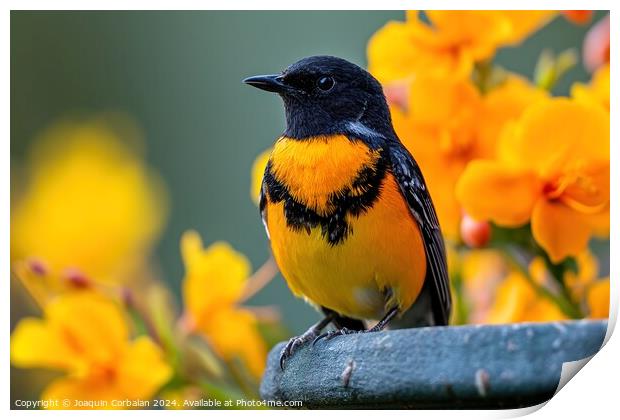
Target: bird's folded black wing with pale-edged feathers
<point>412,185</point>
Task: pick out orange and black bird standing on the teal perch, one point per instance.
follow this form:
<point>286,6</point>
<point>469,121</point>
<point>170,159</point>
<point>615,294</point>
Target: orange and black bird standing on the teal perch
<point>351,222</point>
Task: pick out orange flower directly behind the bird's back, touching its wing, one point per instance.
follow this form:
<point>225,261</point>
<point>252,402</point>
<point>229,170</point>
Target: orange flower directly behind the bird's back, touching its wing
<point>447,124</point>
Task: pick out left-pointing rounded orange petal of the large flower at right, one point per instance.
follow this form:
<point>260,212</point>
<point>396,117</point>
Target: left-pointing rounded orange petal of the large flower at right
<point>488,190</point>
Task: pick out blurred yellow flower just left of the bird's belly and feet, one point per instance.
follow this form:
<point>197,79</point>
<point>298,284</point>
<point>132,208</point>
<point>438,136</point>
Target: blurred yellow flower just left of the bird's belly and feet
<point>214,285</point>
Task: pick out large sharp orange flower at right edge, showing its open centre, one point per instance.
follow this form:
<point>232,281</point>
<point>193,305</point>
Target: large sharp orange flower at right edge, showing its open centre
<point>553,169</point>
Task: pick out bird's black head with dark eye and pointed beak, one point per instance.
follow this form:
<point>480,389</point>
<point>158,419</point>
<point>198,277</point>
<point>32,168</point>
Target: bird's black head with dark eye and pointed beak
<point>328,95</point>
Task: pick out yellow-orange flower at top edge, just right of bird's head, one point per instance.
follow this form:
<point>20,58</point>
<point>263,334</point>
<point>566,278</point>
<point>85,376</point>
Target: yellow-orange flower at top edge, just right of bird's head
<point>450,45</point>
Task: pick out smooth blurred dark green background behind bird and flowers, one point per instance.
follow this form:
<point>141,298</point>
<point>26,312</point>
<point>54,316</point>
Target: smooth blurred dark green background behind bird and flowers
<point>178,74</point>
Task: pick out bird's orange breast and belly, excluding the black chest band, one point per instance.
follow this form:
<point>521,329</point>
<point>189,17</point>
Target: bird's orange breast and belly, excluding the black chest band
<point>380,262</point>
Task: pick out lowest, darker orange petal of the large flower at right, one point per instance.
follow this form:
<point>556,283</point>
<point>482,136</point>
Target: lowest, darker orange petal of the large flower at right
<point>560,230</point>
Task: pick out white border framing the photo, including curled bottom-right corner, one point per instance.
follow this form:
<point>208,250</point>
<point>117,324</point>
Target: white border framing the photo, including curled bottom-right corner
<point>592,394</point>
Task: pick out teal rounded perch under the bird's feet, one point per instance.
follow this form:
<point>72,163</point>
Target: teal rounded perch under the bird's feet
<point>499,366</point>
